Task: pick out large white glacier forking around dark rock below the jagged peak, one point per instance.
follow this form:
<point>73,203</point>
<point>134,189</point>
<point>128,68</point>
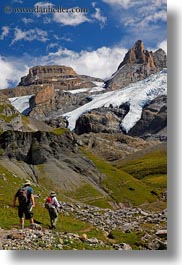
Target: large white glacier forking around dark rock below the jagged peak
<point>137,95</point>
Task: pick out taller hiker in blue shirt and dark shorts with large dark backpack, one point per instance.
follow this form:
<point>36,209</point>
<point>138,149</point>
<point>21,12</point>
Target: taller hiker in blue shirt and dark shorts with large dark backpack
<point>26,203</point>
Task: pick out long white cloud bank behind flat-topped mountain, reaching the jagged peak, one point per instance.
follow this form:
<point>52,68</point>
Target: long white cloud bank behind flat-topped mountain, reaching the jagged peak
<point>102,63</point>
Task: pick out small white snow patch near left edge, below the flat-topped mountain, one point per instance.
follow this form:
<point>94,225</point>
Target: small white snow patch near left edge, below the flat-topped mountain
<point>21,103</point>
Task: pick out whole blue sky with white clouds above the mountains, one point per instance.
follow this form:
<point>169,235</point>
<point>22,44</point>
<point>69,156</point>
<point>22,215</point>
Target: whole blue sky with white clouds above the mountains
<point>92,42</point>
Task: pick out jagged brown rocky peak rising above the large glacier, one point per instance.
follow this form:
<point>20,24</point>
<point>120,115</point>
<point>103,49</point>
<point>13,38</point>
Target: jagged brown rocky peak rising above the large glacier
<point>137,65</point>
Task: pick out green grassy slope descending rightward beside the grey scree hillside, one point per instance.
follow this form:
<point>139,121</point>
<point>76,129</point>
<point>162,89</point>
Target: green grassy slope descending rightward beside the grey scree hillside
<point>121,186</point>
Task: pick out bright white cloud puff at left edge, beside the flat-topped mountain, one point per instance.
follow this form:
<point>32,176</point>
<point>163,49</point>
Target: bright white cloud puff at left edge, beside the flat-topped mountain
<point>11,71</point>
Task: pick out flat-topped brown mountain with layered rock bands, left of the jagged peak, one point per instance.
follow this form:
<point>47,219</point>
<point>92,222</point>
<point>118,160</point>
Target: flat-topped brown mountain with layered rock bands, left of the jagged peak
<point>60,76</point>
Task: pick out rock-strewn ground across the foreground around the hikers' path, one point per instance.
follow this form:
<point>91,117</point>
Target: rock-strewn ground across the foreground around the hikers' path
<point>152,227</point>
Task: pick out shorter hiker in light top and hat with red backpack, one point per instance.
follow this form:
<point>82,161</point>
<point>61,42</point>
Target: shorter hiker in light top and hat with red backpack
<point>52,205</point>
